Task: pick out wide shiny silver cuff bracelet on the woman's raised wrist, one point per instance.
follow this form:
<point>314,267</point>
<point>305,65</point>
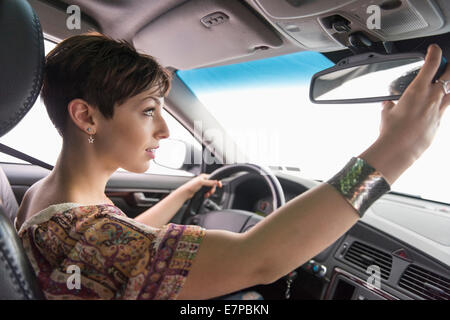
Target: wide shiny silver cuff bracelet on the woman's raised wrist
<point>360,184</point>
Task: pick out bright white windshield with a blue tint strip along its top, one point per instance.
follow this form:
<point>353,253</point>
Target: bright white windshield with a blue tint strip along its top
<point>264,106</point>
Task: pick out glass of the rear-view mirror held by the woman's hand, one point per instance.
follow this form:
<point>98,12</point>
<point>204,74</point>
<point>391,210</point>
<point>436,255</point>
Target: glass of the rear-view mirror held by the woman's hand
<point>368,81</point>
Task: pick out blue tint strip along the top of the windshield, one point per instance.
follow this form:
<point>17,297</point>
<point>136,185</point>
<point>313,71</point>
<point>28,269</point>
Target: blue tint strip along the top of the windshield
<point>291,69</point>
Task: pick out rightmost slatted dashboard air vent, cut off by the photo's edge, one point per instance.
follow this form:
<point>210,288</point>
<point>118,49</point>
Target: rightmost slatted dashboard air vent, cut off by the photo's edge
<point>425,284</point>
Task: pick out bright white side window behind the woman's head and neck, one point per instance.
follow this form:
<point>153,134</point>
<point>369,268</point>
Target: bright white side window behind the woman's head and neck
<point>36,136</point>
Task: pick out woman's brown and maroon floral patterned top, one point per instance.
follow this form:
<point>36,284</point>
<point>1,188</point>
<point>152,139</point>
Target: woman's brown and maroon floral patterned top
<point>117,257</point>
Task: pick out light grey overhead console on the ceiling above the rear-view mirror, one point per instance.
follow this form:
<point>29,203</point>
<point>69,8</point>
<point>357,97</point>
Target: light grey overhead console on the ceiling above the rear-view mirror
<point>324,25</point>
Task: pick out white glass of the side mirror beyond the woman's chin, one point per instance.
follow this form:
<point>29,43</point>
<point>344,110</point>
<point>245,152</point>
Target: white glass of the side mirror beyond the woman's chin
<point>171,153</point>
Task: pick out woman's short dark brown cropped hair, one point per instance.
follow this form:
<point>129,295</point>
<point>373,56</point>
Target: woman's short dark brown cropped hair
<point>101,71</point>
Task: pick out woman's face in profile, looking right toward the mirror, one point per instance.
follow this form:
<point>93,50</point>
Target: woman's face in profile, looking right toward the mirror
<point>137,126</point>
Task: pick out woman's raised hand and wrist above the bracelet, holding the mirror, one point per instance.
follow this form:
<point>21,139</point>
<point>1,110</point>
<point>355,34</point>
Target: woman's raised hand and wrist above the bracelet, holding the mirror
<point>409,126</point>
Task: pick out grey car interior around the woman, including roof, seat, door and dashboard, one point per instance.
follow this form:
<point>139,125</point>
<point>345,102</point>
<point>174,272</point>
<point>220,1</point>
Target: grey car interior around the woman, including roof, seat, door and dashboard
<point>407,237</point>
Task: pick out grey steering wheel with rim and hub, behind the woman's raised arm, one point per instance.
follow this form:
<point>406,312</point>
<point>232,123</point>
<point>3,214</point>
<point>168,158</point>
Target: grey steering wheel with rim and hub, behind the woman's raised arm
<point>232,219</point>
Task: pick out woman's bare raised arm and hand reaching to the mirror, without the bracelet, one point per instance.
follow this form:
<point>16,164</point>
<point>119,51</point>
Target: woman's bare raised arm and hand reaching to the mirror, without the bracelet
<point>311,222</point>
